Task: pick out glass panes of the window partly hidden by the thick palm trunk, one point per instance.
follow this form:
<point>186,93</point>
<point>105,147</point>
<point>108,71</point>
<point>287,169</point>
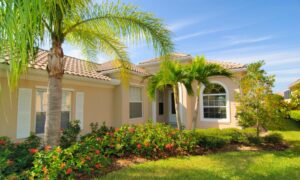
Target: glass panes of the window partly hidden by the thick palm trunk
<point>41,107</point>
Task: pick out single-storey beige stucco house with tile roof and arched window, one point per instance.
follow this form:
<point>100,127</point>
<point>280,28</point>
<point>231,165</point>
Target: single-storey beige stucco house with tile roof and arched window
<point>94,93</point>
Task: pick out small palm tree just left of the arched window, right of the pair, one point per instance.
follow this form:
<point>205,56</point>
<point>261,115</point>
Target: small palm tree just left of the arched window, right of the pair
<point>200,70</point>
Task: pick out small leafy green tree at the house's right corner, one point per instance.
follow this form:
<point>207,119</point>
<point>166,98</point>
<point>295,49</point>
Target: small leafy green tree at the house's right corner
<point>256,88</point>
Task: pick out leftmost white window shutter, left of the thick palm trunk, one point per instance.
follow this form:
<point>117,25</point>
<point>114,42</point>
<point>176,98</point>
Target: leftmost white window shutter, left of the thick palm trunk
<point>24,113</point>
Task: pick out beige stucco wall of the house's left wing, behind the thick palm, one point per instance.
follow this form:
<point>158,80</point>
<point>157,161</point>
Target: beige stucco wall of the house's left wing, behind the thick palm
<point>102,102</point>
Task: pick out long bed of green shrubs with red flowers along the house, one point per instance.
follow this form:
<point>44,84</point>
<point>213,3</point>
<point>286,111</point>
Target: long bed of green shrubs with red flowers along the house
<point>96,150</point>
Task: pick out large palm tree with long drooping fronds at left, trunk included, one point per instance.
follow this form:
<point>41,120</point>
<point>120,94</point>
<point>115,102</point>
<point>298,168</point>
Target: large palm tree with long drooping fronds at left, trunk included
<point>104,27</point>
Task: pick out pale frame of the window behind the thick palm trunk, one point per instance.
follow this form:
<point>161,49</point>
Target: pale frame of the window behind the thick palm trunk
<point>44,88</point>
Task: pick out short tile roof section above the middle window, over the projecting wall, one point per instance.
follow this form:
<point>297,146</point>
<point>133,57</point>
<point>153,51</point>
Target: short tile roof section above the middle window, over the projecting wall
<point>104,68</point>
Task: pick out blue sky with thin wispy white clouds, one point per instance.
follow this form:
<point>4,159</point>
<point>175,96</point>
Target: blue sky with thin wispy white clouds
<point>240,31</point>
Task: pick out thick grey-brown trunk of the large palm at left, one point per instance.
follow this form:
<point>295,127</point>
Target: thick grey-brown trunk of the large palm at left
<point>53,115</point>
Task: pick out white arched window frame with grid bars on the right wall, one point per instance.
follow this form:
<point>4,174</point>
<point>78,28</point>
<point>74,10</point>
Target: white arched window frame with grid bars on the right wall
<point>227,107</point>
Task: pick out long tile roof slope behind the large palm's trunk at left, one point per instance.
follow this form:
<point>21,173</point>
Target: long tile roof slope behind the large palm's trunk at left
<point>73,66</point>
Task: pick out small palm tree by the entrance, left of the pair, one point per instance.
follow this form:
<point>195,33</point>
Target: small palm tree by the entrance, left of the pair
<point>171,74</point>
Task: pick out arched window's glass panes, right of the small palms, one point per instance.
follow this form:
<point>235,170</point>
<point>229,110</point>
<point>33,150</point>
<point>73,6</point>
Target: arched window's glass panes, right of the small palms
<point>214,102</point>
